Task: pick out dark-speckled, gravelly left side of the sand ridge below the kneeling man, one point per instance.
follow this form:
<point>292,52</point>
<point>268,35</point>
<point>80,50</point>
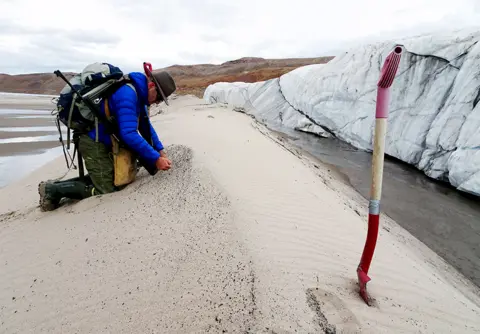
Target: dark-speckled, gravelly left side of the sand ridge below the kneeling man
<point>167,263</point>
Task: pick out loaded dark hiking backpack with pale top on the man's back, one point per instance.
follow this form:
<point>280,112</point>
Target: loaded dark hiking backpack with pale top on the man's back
<point>96,82</point>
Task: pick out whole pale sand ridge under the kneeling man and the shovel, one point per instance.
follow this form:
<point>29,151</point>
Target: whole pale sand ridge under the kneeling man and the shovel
<point>244,234</point>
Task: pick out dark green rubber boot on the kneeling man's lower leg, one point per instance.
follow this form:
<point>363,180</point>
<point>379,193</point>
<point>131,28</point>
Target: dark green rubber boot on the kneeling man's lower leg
<point>52,192</point>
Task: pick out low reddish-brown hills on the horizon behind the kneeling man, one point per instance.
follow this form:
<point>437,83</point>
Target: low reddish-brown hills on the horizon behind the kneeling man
<point>190,79</point>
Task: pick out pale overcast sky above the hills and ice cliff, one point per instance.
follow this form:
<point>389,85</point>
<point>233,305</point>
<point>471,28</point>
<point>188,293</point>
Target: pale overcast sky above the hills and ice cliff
<point>44,35</point>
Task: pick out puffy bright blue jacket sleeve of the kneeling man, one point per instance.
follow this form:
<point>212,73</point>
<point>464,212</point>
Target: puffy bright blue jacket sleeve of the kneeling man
<point>124,102</point>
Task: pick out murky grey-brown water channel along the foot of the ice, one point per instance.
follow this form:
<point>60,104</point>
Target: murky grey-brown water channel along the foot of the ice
<point>444,219</point>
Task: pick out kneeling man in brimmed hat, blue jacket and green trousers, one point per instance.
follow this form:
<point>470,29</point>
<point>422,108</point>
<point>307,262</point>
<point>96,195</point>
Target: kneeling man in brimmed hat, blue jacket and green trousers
<point>128,106</point>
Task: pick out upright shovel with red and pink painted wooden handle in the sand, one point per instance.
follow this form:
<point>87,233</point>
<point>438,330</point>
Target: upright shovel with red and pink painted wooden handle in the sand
<point>387,76</point>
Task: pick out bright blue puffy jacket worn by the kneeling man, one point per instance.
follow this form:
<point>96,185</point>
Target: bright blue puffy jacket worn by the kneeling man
<point>126,105</point>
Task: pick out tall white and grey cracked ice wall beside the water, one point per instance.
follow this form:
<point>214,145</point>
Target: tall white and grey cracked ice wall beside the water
<point>434,121</point>
